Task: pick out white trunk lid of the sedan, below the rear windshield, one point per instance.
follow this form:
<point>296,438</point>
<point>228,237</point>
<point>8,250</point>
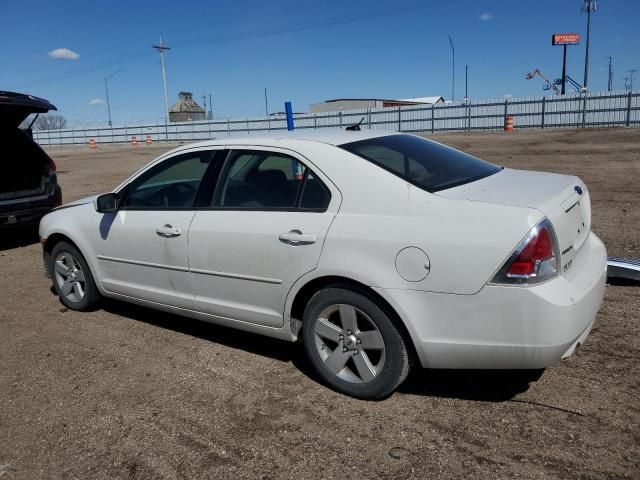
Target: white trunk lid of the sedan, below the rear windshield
<point>563,199</point>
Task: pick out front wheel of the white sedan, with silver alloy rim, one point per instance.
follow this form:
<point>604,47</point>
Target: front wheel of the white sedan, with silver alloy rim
<point>72,279</point>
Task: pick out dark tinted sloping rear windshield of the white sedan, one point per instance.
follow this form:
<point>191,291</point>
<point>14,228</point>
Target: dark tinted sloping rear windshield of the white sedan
<point>426,164</point>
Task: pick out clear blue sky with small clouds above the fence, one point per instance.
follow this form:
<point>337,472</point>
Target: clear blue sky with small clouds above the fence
<point>304,52</point>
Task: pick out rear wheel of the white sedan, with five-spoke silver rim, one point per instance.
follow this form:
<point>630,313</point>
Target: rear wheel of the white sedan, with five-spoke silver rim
<point>353,345</point>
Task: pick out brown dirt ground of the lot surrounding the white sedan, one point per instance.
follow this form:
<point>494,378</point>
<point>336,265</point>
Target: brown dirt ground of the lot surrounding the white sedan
<point>126,392</point>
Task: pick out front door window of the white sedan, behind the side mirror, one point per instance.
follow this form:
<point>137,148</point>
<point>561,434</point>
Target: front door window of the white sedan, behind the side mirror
<point>171,185</point>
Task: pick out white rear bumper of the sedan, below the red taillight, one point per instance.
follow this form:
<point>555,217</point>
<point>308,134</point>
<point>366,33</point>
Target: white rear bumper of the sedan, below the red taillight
<point>507,327</point>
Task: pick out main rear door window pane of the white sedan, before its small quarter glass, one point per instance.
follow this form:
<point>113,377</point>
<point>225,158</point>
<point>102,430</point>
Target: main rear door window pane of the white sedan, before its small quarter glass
<point>260,180</point>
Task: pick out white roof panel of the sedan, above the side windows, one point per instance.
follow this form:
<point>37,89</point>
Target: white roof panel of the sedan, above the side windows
<point>329,136</point>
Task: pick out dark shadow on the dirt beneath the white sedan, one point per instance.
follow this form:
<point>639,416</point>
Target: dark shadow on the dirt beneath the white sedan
<point>479,385</point>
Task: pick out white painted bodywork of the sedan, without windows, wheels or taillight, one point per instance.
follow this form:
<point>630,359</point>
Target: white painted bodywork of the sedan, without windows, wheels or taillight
<point>231,268</point>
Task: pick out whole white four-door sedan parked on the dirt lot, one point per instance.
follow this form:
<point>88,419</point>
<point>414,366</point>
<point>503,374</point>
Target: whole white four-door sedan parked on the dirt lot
<point>379,250</point>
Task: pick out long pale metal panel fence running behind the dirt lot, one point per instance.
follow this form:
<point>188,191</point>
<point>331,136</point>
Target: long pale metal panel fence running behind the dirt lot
<point>577,110</point>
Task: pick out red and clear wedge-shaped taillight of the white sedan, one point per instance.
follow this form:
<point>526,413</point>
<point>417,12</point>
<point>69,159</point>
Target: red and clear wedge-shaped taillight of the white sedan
<point>534,260</point>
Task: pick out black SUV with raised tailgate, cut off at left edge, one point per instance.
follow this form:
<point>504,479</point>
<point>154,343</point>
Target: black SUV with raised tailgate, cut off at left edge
<point>28,184</point>
